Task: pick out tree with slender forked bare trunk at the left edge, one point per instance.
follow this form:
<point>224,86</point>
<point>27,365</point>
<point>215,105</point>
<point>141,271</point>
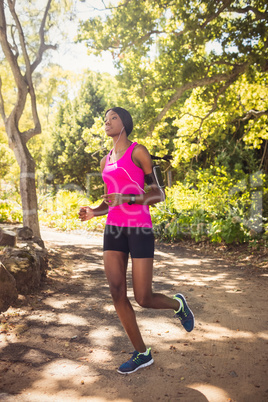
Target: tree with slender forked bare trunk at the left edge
<point>23,50</point>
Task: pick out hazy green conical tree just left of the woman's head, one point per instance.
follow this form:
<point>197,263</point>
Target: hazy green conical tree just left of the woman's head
<point>72,153</point>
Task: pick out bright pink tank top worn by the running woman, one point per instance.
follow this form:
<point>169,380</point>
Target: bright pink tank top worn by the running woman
<point>125,177</point>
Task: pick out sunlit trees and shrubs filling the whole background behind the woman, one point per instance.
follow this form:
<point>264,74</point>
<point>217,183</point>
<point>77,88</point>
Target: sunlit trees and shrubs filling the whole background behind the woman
<point>193,74</point>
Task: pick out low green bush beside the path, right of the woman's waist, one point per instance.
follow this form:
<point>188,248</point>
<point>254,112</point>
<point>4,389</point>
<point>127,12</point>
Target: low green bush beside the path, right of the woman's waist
<point>212,205</point>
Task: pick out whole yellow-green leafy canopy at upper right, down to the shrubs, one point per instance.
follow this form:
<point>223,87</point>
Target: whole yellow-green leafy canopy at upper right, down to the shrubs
<point>194,76</point>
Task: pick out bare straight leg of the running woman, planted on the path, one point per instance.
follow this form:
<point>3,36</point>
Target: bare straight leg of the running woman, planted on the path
<point>115,264</point>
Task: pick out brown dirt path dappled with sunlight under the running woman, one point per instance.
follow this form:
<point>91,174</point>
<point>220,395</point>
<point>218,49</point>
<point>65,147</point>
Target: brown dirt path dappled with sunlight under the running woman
<point>65,342</point>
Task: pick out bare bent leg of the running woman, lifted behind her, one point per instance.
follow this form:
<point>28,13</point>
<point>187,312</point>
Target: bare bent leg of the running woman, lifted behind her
<point>142,274</point>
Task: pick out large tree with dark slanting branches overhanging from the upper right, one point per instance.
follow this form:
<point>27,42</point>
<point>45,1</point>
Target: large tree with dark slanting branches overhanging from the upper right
<point>167,51</point>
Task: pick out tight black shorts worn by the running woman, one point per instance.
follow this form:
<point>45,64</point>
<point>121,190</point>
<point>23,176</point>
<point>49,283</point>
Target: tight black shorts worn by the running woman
<point>139,242</point>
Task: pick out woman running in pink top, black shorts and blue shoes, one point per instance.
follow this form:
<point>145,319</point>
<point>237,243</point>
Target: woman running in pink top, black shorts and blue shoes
<point>125,170</point>
